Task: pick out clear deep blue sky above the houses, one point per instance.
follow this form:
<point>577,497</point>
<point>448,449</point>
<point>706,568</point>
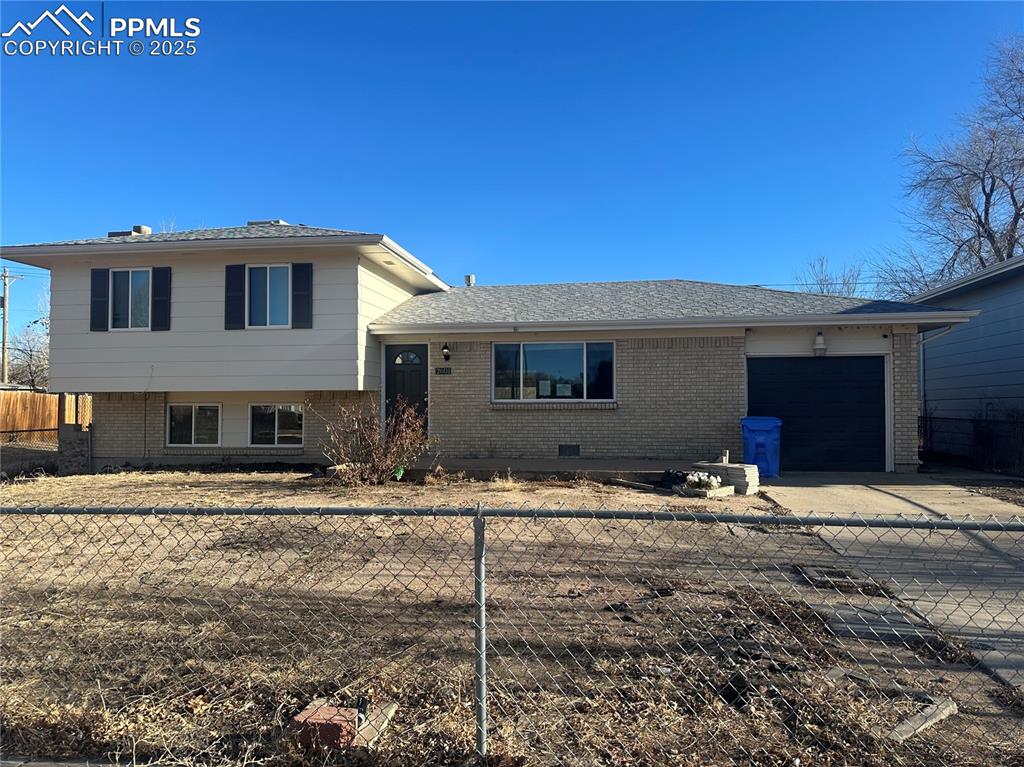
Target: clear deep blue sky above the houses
<point>524,143</point>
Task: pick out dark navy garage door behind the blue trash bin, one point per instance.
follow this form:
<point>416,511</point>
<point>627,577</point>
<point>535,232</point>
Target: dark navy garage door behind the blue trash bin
<point>833,410</point>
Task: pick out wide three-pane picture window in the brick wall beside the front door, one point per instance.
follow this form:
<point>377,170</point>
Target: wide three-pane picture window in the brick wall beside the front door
<point>570,371</point>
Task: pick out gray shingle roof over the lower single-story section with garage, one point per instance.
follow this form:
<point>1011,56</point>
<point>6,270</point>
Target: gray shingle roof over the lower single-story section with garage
<point>627,302</point>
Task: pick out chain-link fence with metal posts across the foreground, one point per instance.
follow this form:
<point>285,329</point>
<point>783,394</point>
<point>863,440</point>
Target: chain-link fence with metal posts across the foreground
<point>513,636</point>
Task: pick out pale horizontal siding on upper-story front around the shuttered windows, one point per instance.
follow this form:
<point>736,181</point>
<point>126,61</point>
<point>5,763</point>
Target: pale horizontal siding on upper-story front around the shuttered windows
<point>198,355</point>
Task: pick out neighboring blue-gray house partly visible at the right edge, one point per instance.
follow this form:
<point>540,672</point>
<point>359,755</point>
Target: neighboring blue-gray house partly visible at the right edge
<point>972,377</point>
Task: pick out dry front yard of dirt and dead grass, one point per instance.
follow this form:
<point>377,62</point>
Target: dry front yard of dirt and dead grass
<point>195,640</point>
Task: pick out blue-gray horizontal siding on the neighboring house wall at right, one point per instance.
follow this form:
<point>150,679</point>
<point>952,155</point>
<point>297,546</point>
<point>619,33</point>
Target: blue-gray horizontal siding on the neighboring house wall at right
<point>977,370</point>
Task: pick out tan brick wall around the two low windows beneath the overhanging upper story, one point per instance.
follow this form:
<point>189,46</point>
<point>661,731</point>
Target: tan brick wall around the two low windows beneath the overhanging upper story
<point>131,428</point>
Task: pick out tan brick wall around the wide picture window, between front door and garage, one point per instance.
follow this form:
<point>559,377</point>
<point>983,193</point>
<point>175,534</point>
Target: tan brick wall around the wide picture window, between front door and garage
<point>677,399</point>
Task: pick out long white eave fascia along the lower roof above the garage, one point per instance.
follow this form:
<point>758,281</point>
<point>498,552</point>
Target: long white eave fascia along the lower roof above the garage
<point>931,318</point>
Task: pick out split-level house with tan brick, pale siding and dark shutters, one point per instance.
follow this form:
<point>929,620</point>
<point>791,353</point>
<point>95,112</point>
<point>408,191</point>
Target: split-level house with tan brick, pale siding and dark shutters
<point>234,345</point>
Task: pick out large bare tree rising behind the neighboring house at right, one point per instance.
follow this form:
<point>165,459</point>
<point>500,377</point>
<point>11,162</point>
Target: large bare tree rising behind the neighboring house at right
<point>969,192</point>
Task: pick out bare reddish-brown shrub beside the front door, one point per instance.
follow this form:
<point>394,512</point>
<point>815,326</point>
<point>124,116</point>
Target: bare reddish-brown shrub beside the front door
<point>362,453</point>
